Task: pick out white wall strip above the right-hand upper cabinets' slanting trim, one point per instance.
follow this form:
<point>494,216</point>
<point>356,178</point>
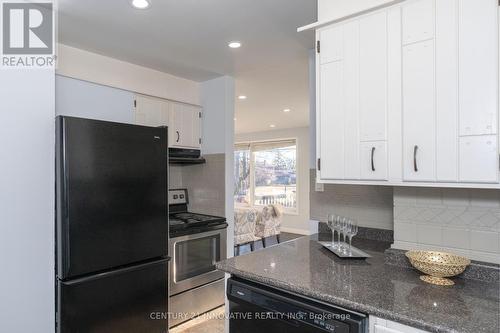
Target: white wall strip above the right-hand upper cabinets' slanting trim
<point>329,10</point>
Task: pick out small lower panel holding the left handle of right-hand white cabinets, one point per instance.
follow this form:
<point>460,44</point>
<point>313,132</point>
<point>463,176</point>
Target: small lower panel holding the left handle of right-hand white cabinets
<point>374,160</point>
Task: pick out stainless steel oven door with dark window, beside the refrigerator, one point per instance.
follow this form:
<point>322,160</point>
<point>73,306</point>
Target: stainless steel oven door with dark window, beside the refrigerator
<point>193,259</point>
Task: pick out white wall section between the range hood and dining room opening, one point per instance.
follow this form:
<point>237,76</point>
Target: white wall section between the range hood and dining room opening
<point>217,99</point>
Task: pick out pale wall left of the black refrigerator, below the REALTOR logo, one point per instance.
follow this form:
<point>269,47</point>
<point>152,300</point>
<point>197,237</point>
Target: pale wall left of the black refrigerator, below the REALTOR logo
<point>27,201</point>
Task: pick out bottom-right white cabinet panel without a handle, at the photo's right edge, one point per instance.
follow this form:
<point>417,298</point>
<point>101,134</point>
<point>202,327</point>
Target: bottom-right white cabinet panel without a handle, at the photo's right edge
<point>479,159</point>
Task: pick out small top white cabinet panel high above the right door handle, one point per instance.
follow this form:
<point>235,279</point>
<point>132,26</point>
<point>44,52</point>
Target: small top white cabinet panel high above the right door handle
<point>418,21</point>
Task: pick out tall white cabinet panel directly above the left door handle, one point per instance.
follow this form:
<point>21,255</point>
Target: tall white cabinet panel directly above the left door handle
<point>373,77</point>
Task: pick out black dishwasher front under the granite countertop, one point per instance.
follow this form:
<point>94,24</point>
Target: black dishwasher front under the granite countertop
<point>257,308</point>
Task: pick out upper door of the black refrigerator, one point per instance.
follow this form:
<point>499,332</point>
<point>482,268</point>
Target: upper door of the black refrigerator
<point>111,195</point>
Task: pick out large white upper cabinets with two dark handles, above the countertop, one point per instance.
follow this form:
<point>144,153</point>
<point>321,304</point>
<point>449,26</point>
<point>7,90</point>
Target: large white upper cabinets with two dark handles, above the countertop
<point>408,95</point>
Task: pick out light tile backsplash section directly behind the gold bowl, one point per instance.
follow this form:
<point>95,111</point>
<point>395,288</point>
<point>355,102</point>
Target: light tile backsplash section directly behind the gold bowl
<point>464,221</point>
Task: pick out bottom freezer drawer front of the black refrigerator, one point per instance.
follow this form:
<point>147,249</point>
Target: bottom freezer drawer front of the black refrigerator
<point>131,300</point>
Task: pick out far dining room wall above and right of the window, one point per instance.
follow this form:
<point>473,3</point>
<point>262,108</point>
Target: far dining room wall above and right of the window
<point>292,223</point>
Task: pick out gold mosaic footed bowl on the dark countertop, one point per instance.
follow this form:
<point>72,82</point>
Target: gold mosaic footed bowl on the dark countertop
<point>437,265</point>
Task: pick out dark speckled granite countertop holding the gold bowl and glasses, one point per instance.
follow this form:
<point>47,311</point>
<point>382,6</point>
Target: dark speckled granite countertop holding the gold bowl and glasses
<point>370,286</point>
